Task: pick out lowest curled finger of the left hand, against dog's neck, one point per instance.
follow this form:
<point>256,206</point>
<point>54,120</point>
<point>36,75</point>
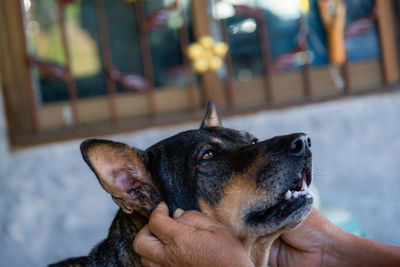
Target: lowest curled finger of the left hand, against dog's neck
<point>148,246</point>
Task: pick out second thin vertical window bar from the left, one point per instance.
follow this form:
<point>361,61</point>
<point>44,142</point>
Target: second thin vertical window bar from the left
<point>107,59</point>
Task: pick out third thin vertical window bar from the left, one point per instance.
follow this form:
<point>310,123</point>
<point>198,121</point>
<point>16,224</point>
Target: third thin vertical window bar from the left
<point>146,59</point>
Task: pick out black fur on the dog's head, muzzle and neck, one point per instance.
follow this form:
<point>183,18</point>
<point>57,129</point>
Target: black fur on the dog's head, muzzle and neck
<point>182,176</point>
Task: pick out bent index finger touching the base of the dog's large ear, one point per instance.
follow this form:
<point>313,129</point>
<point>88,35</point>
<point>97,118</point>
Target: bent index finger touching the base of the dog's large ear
<point>163,226</point>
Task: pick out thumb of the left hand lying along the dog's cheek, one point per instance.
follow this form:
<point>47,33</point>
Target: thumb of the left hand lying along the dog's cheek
<point>197,219</point>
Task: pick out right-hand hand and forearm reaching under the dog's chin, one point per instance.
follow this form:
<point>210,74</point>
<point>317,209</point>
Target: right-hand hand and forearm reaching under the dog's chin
<point>318,242</point>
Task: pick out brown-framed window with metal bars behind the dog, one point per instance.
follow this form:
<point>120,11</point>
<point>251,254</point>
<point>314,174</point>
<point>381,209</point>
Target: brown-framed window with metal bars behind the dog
<point>100,66</point>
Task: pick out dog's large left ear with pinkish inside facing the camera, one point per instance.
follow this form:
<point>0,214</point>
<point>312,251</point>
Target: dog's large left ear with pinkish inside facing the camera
<point>122,172</point>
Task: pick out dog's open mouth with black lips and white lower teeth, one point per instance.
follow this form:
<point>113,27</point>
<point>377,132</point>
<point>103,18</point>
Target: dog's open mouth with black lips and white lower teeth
<point>294,198</point>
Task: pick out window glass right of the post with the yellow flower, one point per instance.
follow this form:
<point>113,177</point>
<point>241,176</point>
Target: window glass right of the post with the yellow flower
<point>283,21</point>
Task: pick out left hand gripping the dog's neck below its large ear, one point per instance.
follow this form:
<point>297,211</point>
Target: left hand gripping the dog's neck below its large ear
<point>188,239</point>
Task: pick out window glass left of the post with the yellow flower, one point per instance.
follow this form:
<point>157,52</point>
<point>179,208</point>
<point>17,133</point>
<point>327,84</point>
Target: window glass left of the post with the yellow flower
<point>44,37</point>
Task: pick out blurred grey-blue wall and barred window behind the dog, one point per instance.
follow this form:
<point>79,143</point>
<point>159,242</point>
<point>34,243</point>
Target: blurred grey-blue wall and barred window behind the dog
<point>140,71</point>
